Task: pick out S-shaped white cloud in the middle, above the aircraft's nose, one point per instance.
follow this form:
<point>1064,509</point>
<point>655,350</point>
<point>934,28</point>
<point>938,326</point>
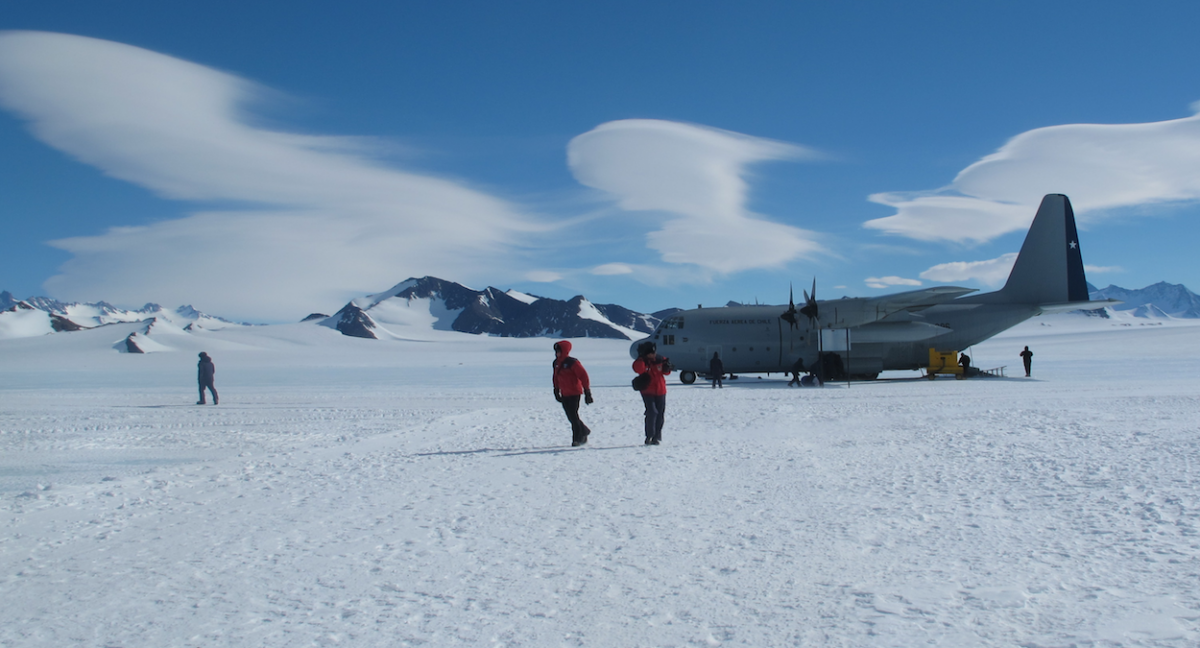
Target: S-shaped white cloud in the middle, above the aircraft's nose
<point>698,175</point>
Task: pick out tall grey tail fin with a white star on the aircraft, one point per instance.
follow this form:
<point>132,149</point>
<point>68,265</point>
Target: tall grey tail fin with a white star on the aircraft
<point>1051,267</point>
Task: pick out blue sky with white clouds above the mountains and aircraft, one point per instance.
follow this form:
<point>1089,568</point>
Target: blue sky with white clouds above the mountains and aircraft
<point>265,161</point>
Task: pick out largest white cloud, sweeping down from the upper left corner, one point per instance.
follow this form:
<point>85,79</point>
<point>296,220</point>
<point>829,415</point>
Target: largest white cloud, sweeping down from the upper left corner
<point>332,223</point>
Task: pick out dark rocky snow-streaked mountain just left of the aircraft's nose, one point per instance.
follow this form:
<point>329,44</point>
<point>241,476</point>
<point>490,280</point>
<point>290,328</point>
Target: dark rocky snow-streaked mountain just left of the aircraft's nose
<point>431,303</point>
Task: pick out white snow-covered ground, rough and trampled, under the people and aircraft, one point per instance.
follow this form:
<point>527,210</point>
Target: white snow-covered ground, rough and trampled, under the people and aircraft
<point>356,493</point>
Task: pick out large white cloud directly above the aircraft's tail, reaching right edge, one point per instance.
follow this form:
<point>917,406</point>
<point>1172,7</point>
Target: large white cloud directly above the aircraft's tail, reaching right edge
<point>1097,166</point>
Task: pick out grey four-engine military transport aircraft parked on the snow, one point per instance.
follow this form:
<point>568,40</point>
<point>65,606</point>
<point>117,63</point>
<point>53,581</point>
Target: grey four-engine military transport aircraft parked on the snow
<point>859,338</point>
